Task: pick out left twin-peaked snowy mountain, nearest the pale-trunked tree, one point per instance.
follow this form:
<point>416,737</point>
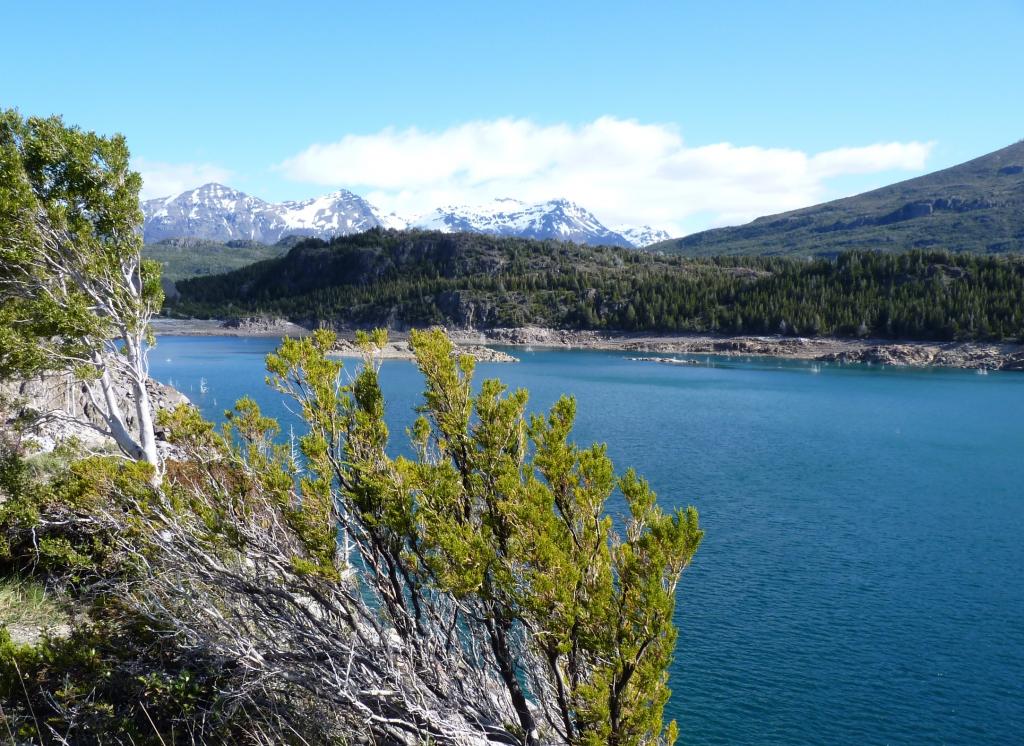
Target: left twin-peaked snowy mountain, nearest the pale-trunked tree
<point>216,212</point>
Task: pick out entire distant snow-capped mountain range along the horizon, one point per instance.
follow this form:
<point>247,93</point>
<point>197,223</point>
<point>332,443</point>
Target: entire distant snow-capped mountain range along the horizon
<point>218,213</point>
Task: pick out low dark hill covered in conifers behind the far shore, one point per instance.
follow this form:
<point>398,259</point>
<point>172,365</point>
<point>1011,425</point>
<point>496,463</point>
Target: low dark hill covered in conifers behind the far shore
<point>418,279</point>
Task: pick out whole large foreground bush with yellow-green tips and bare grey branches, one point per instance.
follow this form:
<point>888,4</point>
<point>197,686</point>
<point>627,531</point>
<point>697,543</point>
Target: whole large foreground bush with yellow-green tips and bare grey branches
<point>477,592</point>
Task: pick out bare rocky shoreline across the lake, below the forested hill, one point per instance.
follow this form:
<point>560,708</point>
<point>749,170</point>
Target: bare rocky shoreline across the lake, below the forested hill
<point>480,343</point>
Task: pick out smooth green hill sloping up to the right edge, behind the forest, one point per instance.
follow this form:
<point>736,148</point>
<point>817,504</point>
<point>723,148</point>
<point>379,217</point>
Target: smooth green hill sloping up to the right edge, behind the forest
<point>975,207</point>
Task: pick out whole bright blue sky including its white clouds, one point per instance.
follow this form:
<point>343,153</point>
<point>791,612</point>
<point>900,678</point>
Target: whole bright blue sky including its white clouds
<point>680,114</point>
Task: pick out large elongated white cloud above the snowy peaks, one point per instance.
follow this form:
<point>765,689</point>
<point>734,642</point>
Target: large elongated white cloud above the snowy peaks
<point>625,171</point>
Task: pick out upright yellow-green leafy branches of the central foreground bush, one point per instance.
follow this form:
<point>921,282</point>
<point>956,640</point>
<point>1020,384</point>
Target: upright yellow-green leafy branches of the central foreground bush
<point>508,517</point>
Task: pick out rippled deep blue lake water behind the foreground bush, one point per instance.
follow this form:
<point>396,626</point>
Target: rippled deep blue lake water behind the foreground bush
<point>861,581</point>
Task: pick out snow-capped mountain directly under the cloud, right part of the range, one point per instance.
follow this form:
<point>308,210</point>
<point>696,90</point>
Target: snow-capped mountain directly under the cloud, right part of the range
<point>560,220</point>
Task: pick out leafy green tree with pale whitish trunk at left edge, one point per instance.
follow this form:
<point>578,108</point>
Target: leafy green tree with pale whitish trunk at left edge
<point>75,294</point>
